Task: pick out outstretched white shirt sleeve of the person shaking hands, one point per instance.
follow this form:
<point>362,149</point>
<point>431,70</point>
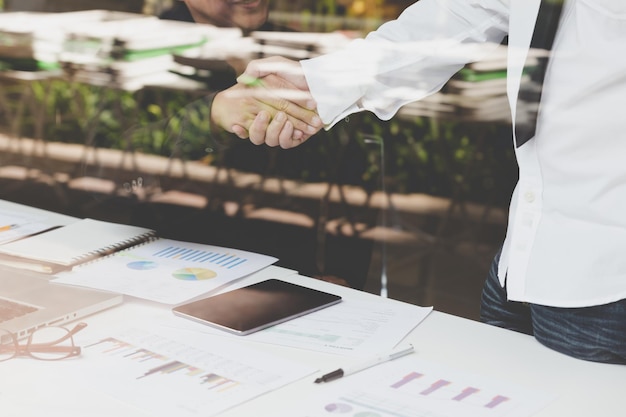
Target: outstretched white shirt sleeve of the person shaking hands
<point>406,59</point>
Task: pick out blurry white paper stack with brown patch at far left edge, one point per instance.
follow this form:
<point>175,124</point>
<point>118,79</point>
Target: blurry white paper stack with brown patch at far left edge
<point>34,40</point>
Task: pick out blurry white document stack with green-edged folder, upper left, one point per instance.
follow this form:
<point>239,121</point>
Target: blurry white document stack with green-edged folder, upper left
<point>127,53</point>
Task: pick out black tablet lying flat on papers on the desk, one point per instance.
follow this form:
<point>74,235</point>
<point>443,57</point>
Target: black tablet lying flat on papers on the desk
<point>257,306</point>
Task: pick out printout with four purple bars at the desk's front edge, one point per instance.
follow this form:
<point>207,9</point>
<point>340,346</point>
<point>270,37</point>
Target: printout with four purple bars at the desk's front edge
<point>409,387</point>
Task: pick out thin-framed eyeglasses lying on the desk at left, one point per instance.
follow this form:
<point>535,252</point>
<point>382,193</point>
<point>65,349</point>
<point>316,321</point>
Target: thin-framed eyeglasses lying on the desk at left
<point>49,343</point>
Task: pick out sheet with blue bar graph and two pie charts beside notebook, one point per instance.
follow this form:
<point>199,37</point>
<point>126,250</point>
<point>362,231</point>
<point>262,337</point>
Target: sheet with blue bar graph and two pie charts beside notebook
<point>166,271</point>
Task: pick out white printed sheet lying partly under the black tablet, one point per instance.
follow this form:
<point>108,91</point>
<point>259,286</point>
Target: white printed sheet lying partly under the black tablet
<point>352,327</point>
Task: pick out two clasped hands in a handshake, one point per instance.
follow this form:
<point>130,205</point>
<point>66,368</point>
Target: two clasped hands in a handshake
<point>270,104</point>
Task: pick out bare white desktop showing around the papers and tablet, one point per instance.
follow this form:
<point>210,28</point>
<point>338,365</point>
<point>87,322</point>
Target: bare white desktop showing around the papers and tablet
<point>582,389</point>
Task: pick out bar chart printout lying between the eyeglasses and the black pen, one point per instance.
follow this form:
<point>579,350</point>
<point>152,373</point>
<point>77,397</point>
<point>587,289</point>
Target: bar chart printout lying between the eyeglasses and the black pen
<point>169,378</point>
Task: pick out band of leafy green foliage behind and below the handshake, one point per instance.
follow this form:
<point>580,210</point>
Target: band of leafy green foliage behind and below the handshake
<point>421,155</point>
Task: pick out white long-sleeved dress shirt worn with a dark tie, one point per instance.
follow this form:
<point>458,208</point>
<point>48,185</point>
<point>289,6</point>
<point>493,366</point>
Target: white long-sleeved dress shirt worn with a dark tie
<point>566,237</point>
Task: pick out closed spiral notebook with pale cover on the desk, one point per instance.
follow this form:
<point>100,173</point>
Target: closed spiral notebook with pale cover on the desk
<point>76,243</point>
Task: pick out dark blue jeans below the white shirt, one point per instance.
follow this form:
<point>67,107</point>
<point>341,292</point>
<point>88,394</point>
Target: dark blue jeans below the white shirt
<point>596,333</point>
